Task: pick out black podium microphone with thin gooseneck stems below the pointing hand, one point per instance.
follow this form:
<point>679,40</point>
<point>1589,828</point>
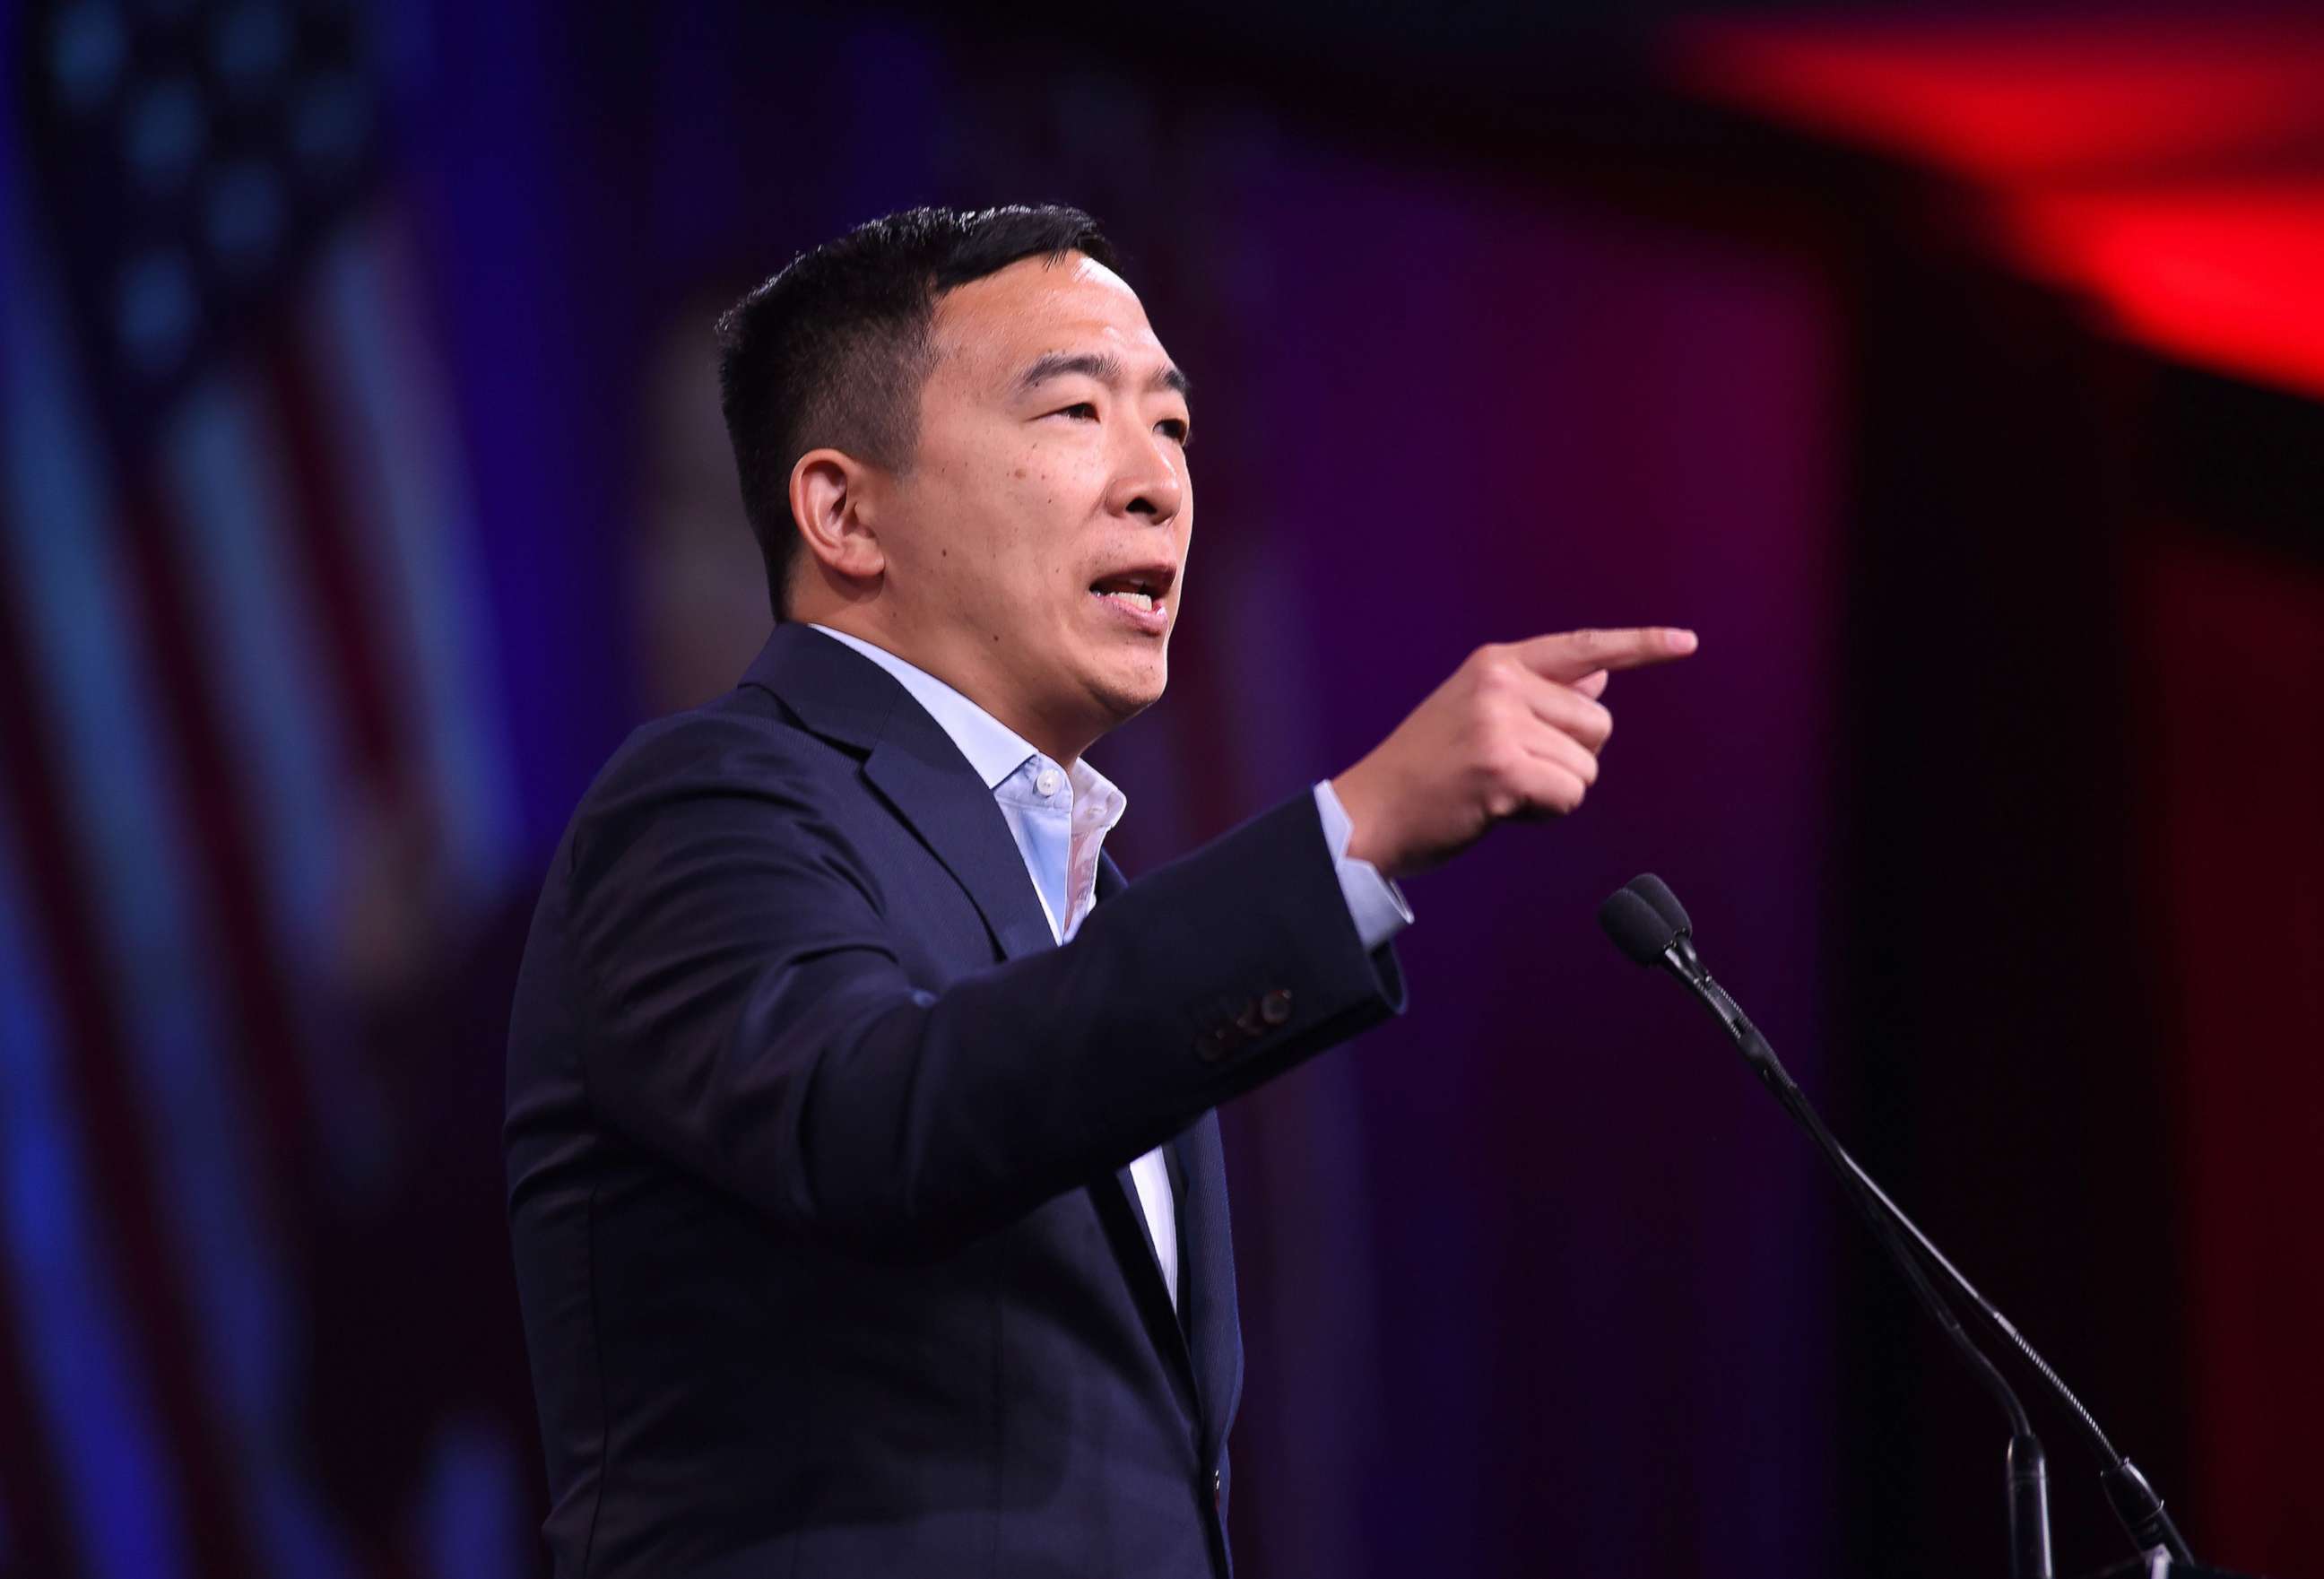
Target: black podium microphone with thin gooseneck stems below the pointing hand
<point>1651,927</point>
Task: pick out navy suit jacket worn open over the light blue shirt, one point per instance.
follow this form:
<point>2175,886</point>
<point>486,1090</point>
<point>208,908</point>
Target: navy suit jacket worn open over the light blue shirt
<point>819,1148</point>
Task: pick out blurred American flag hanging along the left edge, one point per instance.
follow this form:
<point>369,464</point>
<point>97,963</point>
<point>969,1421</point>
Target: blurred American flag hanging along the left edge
<point>243,685</point>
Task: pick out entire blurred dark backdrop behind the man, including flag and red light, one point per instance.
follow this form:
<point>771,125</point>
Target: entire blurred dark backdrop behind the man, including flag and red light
<point>1953,373</point>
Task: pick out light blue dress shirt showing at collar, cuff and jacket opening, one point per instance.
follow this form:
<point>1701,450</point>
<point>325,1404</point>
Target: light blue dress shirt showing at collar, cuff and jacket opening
<point>1061,820</point>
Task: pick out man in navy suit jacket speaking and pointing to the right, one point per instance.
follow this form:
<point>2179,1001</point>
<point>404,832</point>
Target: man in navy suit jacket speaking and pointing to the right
<point>863,1178</point>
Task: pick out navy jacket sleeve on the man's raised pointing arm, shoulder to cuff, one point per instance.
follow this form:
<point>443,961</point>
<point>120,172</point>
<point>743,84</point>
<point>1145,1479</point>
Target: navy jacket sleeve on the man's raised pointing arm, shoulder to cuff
<point>752,1020</point>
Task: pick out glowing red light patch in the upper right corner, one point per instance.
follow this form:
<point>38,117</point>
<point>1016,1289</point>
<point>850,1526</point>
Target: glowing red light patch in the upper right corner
<point>2174,171</point>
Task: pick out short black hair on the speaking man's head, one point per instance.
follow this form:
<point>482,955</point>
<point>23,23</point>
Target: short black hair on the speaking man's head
<point>833,350</point>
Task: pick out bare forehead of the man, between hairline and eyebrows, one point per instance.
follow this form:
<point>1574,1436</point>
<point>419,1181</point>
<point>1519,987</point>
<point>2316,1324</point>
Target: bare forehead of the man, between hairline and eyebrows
<point>1042,306</point>
